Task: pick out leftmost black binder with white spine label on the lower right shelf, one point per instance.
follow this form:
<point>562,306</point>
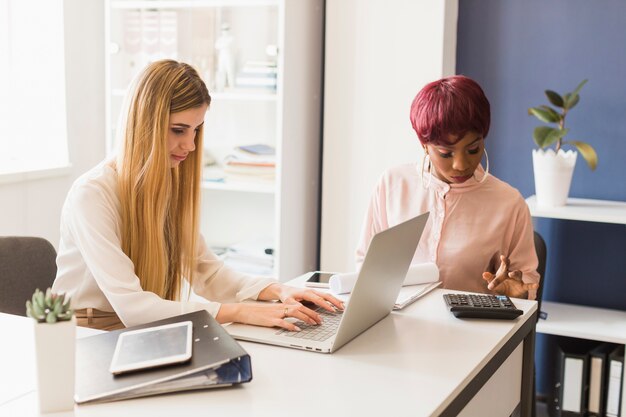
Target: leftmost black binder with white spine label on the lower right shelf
<point>572,384</point>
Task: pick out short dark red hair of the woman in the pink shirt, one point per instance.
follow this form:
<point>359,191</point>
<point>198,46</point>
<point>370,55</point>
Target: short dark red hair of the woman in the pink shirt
<point>450,106</point>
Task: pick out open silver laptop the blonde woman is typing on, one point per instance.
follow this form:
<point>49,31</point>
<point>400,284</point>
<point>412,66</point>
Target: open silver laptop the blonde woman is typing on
<point>384,268</point>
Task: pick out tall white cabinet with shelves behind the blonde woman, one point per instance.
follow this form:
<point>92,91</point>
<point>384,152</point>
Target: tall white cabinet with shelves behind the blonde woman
<point>262,62</point>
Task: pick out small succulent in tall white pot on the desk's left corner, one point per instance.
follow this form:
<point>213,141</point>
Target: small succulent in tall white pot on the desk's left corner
<point>55,333</point>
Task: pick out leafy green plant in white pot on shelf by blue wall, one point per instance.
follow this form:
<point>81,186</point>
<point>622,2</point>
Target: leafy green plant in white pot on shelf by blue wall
<point>553,167</point>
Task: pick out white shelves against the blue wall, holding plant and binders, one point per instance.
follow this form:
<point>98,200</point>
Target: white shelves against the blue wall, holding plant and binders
<point>604,325</point>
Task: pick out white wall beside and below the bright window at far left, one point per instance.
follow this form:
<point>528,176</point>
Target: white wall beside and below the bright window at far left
<point>34,207</point>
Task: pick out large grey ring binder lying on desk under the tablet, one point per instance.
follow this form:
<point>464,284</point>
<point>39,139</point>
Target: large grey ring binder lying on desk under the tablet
<point>217,361</point>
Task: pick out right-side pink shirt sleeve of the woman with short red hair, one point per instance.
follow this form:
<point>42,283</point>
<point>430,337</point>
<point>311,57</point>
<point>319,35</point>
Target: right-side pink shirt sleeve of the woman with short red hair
<point>523,256</point>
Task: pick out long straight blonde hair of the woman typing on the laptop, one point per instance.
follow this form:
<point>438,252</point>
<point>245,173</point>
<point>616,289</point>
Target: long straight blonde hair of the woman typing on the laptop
<point>160,204</point>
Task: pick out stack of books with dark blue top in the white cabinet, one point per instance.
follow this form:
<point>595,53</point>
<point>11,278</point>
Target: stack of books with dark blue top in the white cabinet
<point>251,163</point>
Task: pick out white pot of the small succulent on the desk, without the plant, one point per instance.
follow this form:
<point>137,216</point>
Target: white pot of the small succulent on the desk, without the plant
<point>55,347</point>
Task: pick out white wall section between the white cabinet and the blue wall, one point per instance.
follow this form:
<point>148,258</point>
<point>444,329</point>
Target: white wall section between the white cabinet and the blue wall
<point>379,54</point>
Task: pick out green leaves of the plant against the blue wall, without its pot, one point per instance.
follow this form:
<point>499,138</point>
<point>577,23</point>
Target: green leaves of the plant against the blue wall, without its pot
<point>545,136</point>
